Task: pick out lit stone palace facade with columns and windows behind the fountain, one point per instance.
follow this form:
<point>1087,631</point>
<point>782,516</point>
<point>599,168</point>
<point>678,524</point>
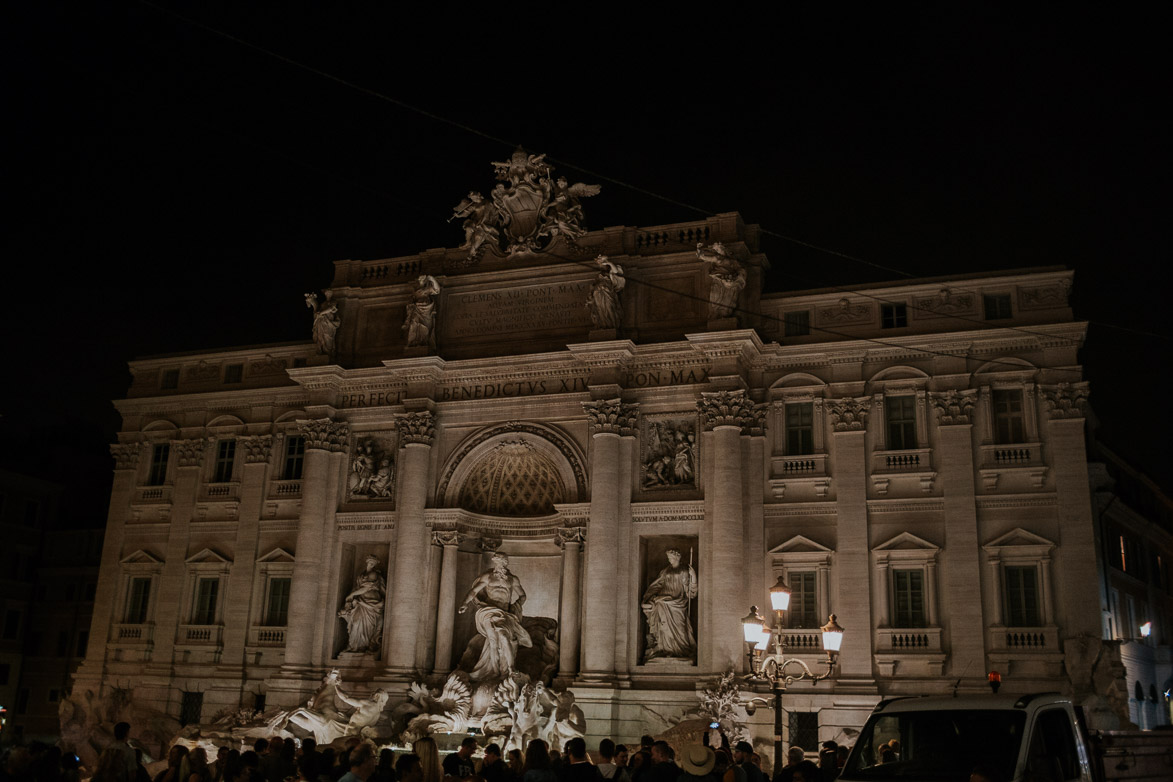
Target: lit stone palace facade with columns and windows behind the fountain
<point>910,457</point>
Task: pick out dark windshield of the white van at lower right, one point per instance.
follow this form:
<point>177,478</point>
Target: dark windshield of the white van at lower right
<point>944,745</point>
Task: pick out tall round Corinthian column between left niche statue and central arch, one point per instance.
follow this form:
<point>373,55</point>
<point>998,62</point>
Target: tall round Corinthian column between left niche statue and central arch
<point>417,432</point>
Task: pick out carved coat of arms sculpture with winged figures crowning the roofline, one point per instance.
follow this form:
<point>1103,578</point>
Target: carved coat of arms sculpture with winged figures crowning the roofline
<point>527,212</point>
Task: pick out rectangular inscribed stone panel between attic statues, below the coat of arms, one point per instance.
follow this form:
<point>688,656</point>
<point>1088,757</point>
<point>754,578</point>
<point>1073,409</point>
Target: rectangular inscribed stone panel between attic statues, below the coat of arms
<point>527,309</point>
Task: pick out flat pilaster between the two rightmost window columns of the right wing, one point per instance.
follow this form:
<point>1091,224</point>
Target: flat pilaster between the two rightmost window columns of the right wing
<point>961,554</point>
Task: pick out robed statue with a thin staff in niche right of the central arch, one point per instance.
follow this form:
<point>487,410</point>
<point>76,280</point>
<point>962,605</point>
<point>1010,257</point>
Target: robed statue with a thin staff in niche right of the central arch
<point>668,606</point>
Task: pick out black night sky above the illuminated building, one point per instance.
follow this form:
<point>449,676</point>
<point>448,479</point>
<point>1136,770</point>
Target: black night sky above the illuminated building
<point>179,188</point>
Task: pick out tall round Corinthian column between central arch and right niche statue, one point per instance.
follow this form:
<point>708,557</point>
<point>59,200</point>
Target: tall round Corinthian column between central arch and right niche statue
<point>606,420</point>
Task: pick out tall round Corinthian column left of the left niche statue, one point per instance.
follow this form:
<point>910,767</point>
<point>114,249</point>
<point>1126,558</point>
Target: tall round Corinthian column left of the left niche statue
<point>323,438</point>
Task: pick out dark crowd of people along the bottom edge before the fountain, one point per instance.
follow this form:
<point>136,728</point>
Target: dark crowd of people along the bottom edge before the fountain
<point>282,760</point>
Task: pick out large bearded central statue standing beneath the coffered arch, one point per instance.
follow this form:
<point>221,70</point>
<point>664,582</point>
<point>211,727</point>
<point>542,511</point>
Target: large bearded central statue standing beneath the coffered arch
<point>499,599</point>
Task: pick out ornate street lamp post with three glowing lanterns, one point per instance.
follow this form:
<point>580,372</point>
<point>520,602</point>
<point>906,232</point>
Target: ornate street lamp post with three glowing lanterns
<point>776,668</point>
